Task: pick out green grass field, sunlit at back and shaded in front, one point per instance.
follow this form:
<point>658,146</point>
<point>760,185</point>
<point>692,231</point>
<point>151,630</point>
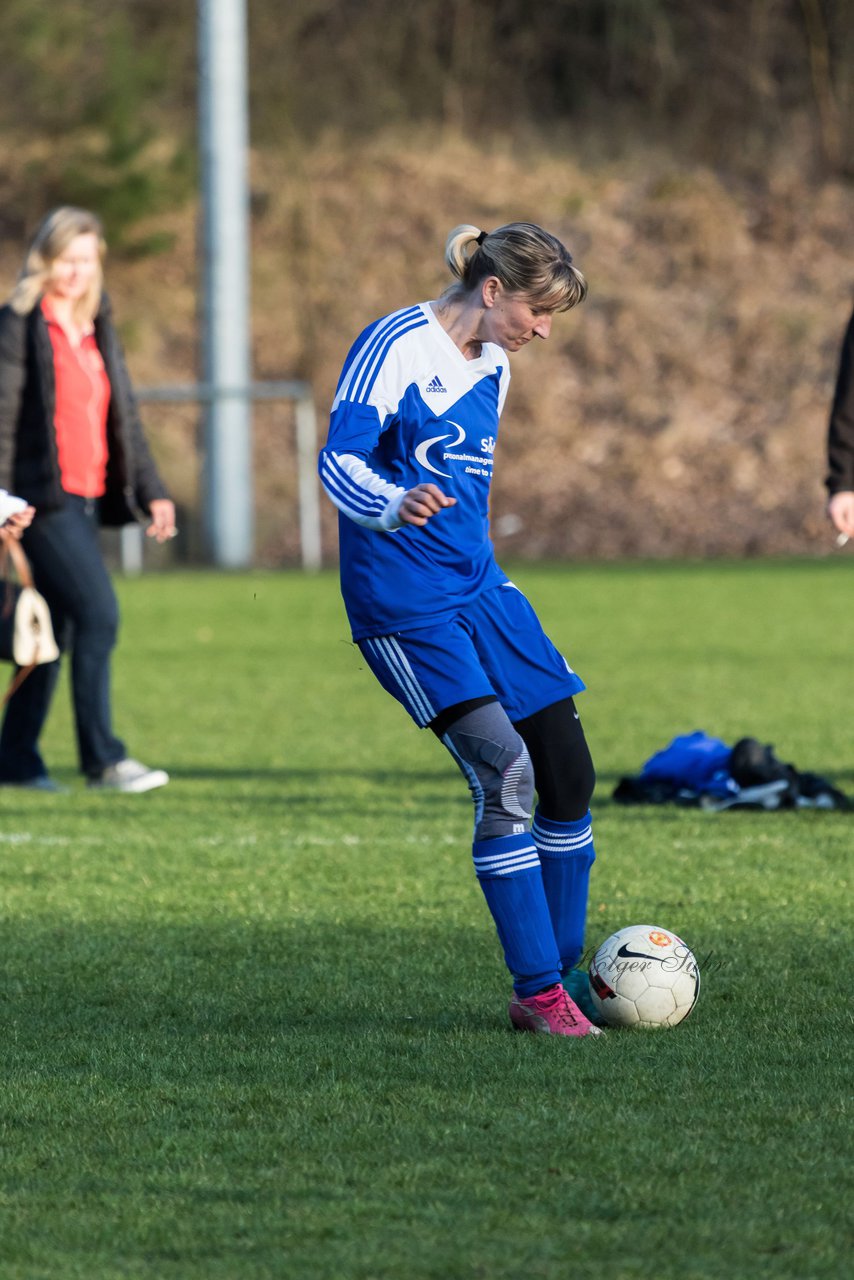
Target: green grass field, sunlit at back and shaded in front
<point>236,1043</point>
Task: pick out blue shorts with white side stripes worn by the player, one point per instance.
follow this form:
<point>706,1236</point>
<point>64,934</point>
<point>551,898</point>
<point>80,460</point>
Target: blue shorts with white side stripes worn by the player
<point>495,647</point>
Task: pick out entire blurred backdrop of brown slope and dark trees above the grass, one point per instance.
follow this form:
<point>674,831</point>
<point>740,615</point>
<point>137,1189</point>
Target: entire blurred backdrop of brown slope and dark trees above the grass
<point>696,158</point>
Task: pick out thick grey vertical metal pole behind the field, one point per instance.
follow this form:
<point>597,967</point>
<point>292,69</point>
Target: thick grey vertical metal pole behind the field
<point>223,122</point>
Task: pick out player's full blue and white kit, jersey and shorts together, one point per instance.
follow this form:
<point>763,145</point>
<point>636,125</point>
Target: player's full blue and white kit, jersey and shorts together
<point>435,615</point>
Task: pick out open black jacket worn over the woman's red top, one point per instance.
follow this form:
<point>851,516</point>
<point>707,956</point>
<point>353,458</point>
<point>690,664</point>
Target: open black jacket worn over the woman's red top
<point>29,458</point>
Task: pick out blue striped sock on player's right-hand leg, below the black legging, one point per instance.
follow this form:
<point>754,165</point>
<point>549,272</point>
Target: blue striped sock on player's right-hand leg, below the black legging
<point>567,856</point>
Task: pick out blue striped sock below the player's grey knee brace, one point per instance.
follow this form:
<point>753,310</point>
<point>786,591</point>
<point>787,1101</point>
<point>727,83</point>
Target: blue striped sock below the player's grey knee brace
<point>510,876</point>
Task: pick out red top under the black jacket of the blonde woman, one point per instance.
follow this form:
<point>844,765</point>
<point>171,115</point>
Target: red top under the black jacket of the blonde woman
<point>83,403</point>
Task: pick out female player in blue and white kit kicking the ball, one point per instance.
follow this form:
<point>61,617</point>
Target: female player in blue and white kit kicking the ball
<point>409,464</point>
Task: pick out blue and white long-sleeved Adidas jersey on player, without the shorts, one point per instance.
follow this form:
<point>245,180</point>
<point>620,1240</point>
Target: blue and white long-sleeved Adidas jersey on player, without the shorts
<point>412,410</point>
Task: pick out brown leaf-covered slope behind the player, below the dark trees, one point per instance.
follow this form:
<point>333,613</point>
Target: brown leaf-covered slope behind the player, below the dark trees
<point>682,412</point>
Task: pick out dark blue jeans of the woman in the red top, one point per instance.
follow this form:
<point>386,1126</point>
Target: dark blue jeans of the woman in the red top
<point>70,572</point>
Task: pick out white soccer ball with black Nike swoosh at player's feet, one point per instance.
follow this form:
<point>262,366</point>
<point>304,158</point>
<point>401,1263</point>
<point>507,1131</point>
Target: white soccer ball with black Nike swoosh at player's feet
<point>645,976</point>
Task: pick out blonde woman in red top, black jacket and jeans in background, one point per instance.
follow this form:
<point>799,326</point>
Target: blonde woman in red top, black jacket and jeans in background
<point>72,446</point>
